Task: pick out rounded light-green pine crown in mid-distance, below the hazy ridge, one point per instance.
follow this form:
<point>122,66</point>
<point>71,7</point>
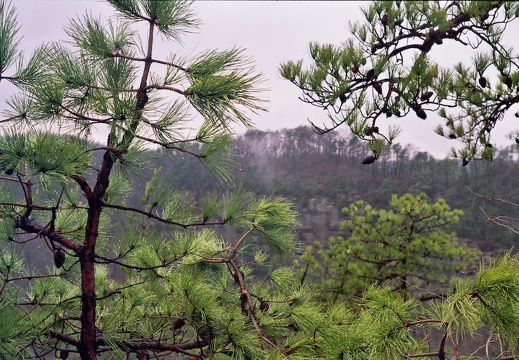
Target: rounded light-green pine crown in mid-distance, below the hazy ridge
<point>404,248</point>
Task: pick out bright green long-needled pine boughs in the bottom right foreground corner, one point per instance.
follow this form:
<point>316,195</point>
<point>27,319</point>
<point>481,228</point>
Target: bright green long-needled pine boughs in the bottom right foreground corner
<point>385,325</point>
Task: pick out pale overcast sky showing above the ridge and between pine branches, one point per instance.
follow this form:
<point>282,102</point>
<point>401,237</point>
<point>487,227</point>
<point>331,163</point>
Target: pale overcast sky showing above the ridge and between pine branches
<point>271,32</point>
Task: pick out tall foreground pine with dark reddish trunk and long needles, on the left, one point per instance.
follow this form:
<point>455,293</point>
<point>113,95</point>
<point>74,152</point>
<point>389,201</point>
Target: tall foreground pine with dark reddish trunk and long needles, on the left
<point>131,286</point>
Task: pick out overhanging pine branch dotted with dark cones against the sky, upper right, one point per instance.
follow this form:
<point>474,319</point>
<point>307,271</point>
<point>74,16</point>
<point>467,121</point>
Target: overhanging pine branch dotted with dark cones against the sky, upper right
<point>388,68</point>
